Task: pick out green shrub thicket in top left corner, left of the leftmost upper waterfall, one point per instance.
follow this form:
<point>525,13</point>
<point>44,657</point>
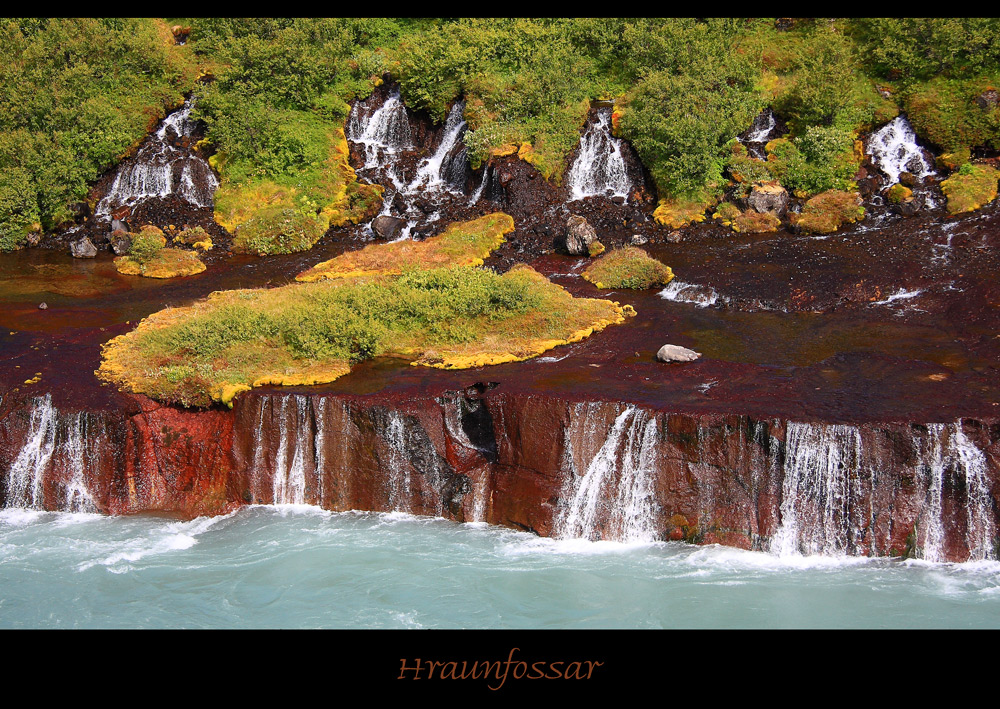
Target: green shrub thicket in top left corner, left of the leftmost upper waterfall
<point>78,95</point>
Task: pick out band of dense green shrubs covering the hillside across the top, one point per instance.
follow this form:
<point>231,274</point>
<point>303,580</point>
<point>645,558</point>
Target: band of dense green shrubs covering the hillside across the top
<point>80,94</point>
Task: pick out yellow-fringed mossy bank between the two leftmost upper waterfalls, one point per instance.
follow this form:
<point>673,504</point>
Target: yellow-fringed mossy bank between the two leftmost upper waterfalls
<point>291,212</point>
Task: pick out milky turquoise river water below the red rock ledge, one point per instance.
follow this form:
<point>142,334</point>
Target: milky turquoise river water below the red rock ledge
<point>302,567</point>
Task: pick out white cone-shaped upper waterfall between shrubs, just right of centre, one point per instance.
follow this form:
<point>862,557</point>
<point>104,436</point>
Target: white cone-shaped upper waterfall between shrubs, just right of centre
<point>599,168</point>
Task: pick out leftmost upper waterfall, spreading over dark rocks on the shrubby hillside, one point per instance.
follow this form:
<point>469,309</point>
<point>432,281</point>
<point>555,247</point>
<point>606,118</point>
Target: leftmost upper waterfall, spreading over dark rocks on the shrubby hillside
<point>160,169</point>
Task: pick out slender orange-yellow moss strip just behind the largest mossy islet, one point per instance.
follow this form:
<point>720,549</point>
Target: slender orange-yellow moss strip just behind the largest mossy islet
<point>461,244</point>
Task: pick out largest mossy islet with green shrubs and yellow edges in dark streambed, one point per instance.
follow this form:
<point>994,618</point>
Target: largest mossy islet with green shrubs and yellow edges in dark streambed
<point>310,333</point>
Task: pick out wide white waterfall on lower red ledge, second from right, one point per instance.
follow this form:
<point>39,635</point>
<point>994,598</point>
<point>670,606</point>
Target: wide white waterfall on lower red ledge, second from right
<point>821,475</point>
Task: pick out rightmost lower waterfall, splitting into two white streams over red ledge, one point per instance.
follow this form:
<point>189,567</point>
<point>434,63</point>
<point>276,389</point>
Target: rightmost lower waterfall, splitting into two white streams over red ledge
<point>952,451</point>
